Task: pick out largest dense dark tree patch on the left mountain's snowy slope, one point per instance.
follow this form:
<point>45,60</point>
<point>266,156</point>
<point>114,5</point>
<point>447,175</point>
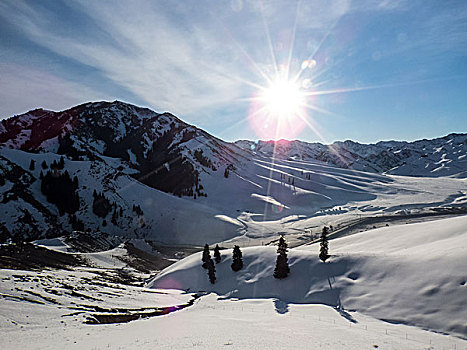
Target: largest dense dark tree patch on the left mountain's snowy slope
<point>61,190</point>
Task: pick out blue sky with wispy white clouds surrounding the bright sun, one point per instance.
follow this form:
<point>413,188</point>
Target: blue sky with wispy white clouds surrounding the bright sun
<point>381,69</point>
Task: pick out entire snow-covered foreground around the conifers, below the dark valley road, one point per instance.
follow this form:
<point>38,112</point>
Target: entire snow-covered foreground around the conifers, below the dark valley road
<point>411,275</point>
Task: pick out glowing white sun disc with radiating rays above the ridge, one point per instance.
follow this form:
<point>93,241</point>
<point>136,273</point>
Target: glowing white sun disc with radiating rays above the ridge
<point>283,98</point>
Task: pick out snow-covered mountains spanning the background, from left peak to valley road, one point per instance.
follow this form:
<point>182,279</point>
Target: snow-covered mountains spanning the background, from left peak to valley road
<point>132,172</point>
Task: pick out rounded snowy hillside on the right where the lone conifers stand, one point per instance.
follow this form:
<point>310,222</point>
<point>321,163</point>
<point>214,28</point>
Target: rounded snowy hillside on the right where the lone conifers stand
<point>412,274</point>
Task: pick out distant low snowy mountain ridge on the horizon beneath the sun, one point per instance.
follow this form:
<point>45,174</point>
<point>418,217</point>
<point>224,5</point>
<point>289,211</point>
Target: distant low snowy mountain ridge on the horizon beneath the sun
<point>445,156</point>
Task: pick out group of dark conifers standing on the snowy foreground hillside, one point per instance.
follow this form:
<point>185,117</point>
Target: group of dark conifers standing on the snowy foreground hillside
<point>282,268</point>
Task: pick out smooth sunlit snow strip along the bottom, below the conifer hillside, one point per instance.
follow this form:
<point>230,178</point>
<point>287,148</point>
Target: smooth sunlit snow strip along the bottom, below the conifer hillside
<point>213,323</point>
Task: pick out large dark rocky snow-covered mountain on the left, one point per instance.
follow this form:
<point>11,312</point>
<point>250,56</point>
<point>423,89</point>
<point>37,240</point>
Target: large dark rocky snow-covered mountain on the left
<point>122,152</point>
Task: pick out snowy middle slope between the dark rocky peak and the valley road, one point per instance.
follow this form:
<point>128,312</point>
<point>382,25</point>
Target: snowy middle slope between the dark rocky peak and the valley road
<point>256,201</point>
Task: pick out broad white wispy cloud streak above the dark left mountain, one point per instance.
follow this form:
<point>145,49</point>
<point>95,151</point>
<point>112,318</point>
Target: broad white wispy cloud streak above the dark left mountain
<point>169,66</point>
